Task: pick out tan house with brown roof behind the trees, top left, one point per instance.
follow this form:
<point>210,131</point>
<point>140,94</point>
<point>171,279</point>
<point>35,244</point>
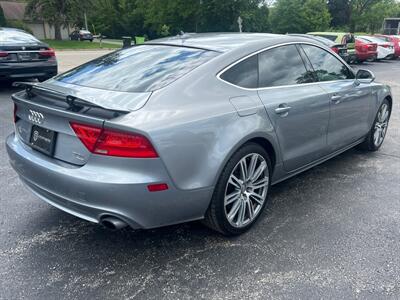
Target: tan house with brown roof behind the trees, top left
<point>15,11</point>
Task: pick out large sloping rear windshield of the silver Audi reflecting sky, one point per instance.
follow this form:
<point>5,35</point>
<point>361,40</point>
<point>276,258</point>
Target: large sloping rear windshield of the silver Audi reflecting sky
<point>141,68</point>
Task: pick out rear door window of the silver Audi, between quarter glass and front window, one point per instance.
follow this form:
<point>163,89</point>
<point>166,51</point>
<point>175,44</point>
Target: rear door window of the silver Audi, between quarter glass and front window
<point>282,66</point>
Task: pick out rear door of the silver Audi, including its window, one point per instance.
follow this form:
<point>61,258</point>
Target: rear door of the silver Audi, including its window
<point>297,107</point>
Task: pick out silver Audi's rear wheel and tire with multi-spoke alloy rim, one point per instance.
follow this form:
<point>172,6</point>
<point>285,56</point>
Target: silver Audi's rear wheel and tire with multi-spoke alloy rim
<point>248,207</point>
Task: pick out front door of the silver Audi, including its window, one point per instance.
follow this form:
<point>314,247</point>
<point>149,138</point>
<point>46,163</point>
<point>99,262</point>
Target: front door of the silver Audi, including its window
<point>349,100</point>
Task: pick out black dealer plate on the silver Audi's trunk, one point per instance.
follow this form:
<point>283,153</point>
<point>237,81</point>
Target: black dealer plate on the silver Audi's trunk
<point>43,139</point>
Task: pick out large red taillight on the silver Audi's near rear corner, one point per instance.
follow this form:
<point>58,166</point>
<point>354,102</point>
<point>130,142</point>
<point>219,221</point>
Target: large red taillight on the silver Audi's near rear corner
<point>114,143</point>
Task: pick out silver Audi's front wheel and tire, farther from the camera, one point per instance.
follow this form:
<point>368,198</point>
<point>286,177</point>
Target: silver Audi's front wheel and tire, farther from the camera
<point>378,129</point>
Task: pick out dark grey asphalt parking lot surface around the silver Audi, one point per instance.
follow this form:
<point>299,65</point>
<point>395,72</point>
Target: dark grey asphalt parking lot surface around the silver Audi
<point>331,232</point>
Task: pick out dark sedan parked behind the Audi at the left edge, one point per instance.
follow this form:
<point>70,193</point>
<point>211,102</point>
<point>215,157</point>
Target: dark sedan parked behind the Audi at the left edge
<point>24,56</point>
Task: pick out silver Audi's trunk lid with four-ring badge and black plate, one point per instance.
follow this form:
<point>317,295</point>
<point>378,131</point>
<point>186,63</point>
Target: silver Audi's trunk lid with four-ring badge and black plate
<point>45,112</point>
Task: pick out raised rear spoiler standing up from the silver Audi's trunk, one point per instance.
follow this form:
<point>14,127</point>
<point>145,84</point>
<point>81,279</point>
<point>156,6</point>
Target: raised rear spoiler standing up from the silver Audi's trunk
<point>74,103</point>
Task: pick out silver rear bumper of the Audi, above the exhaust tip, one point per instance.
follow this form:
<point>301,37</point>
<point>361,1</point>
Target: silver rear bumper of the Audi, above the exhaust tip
<point>100,189</point>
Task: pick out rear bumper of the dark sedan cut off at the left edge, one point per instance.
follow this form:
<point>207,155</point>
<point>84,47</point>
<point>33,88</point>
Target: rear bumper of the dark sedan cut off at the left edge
<point>9,71</point>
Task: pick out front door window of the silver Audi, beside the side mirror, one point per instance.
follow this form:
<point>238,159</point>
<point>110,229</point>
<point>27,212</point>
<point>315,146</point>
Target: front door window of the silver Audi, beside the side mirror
<point>326,66</point>
